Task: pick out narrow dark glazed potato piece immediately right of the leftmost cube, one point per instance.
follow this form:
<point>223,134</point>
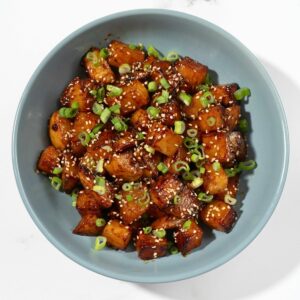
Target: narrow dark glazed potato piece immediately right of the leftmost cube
<point>69,174</point>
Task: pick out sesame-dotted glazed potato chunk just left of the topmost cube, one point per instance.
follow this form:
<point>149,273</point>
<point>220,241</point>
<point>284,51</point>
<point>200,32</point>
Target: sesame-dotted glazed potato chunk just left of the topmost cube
<point>97,67</point>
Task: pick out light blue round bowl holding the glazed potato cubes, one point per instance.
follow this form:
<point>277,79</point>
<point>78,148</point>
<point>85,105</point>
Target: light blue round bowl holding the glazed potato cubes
<point>168,30</point>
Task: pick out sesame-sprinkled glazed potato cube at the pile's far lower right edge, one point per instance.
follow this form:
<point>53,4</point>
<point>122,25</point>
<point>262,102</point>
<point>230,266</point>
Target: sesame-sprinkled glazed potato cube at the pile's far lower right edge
<point>219,215</point>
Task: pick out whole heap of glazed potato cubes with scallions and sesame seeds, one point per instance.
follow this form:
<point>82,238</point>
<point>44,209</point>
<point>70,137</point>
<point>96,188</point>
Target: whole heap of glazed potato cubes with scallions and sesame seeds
<point>149,148</point>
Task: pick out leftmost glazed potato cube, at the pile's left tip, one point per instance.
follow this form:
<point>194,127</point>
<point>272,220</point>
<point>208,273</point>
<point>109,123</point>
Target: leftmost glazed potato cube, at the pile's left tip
<point>49,159</point>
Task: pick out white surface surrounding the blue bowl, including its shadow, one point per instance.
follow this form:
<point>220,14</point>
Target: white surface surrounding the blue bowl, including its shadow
<point>31,268</point>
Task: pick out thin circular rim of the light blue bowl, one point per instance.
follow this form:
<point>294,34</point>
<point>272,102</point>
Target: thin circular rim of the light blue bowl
<point>180,276</point>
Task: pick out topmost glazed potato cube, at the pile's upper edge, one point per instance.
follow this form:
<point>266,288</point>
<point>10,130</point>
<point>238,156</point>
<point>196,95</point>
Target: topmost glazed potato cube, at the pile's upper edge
<point>120,53</point>
